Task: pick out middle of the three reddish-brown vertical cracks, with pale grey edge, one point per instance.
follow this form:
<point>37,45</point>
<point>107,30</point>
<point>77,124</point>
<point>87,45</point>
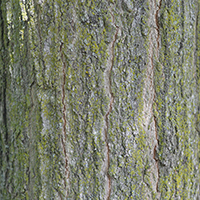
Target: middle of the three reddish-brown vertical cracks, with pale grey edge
<point>108,85</point>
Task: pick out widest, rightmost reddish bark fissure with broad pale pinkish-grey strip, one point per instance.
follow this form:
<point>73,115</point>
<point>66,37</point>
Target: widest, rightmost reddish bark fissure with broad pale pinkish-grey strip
<point>150,105</point>
